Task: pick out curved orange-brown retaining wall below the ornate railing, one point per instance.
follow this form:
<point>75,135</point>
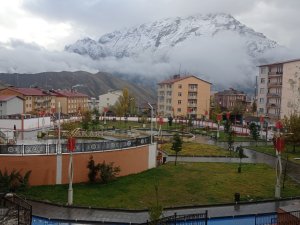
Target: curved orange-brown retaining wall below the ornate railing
<point>44,170</point>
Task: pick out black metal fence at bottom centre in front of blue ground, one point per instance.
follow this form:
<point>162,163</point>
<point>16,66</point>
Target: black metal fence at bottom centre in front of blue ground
<point>190,219</point>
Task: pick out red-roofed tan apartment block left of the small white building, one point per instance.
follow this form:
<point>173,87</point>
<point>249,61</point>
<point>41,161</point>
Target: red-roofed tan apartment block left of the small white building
<point>71,102</point>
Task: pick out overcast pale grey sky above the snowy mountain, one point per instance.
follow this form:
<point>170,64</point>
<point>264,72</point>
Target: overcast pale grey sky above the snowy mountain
<point>54,23</point>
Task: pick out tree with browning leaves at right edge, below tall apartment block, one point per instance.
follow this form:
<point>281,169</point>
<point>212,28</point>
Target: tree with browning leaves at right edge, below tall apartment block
<point>292,125</point>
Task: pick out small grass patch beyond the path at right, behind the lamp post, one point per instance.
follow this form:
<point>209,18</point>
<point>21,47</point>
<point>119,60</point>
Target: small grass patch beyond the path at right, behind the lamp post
<point>288,153</point>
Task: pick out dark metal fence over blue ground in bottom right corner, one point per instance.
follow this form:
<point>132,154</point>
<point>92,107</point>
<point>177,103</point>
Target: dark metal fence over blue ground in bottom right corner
<point>281,218</point>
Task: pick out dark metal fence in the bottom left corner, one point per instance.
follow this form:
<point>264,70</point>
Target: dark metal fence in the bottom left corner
<point>18,210</point>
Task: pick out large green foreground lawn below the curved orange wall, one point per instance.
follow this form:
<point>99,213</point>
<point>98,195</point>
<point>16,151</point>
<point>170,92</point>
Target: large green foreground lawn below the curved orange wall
<point>183,185</point>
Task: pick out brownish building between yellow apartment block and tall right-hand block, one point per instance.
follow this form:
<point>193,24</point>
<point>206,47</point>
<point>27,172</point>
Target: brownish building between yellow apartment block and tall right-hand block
<point>228,99</point>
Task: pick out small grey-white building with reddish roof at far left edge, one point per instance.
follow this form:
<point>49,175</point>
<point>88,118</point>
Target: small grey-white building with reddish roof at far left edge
<point>11,104</point>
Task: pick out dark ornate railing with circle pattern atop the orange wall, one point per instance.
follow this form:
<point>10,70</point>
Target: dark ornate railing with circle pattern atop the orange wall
<point>41,149</point>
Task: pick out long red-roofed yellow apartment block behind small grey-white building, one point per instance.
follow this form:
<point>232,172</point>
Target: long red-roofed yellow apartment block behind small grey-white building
<point>35,99</point>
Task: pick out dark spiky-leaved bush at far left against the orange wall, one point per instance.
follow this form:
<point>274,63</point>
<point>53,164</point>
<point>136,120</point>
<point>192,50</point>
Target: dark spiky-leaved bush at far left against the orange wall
<point>14,181</point>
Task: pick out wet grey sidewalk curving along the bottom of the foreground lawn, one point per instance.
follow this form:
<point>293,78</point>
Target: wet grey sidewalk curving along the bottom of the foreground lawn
<point>87,215</point>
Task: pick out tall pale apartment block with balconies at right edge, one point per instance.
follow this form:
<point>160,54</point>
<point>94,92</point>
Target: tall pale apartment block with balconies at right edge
<point>278,89</point>
